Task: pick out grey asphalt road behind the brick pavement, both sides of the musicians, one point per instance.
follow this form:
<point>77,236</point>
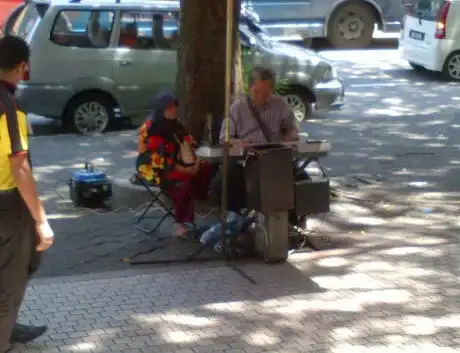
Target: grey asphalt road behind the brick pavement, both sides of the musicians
<point>394,150</point>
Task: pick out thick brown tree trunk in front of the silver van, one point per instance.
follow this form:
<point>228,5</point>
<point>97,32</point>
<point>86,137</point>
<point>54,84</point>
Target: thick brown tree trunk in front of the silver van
<point>202,58</point>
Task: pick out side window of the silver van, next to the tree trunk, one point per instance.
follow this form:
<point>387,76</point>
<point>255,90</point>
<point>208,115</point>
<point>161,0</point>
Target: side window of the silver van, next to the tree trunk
<point>148,30</point>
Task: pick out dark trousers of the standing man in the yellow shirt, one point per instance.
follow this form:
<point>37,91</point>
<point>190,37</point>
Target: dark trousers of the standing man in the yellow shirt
<point>17,243</point>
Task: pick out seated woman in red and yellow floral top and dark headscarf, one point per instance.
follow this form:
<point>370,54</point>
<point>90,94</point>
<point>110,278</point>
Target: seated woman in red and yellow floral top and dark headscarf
<point>167,159</point>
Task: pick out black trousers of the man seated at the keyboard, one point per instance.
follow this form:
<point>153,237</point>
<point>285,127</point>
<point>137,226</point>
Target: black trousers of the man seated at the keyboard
<point>236,187</point>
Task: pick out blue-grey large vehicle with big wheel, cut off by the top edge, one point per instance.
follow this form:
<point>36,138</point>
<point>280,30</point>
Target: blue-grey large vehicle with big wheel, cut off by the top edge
<point>345,23</point>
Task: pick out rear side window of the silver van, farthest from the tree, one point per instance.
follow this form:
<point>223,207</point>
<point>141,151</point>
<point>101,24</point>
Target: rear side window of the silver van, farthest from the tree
<point>83,28</point>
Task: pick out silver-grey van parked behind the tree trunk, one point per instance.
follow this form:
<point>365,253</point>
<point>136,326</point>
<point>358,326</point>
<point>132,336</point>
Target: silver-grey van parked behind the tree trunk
<point>93,63</point>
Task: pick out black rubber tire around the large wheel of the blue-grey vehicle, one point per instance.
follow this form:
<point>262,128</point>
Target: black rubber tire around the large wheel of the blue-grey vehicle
<point>334,36</point>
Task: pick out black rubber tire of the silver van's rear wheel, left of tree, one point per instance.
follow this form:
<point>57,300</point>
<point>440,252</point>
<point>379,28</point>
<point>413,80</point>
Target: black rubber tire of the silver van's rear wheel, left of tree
<point>107,102</point>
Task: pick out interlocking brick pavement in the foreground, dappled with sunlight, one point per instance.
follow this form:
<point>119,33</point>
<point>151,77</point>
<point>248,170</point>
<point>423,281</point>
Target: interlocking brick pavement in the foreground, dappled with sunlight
<point>396,299</point>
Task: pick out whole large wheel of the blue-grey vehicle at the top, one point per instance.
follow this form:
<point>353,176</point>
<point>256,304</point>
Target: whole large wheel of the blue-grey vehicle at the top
<point>351,26</point>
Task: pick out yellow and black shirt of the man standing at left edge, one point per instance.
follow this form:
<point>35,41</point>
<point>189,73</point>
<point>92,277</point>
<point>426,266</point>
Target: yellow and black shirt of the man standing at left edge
<point>13,134</point>
